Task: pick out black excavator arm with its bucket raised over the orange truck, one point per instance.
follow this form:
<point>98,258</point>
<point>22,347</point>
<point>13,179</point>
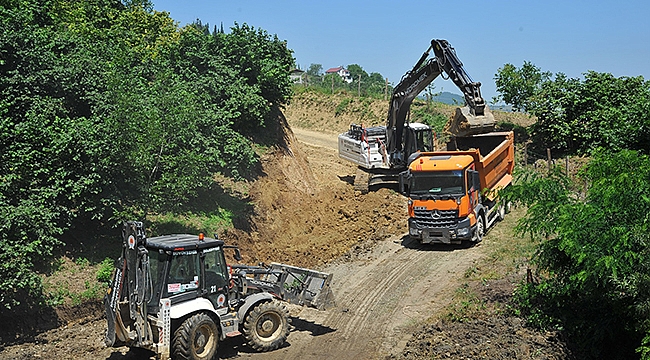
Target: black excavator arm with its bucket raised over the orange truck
<point>474,118</point>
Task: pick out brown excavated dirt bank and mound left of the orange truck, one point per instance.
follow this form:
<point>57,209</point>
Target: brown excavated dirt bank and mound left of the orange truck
<point>306,213</point>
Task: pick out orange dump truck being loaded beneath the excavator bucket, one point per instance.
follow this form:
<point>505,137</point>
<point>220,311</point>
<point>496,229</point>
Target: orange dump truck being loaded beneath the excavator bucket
<point>452,195</point>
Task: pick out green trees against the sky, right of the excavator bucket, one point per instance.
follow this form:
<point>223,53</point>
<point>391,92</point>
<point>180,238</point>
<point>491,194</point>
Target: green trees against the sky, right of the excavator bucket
<point>578,116</point>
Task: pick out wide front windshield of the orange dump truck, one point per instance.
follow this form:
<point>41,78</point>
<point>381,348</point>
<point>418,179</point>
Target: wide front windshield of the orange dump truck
<point>437,183</point>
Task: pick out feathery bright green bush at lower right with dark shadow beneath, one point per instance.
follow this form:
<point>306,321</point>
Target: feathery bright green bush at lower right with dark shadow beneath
<point>594,259</point>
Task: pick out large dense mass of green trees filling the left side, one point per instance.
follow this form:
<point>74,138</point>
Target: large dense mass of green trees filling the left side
<point>109,109</point>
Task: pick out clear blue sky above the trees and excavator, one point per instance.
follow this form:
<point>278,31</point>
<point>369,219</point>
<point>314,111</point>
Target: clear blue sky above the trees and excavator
<point>388,37</point>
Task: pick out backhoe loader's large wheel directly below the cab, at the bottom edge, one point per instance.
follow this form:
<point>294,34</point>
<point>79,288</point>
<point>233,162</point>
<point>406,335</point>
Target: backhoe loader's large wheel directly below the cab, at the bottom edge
<point>196,339</point>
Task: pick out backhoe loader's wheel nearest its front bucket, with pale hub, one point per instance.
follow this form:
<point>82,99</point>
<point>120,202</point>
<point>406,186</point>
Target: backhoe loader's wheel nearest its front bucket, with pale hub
<point>266,326</point>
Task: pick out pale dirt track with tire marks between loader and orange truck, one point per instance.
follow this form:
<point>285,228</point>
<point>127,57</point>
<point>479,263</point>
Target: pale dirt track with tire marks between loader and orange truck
<point>380,299</point>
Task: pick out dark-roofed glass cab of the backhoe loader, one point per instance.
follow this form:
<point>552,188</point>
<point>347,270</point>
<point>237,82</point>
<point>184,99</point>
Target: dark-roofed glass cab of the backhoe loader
<point>186,267</point>
